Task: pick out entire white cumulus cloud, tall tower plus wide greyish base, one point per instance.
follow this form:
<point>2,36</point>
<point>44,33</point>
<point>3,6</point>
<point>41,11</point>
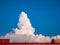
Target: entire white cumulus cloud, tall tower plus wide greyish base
<point>25,32</point>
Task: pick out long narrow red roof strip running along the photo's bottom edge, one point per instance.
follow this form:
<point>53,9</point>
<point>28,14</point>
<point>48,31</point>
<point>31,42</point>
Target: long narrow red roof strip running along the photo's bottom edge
<point>30,44</point>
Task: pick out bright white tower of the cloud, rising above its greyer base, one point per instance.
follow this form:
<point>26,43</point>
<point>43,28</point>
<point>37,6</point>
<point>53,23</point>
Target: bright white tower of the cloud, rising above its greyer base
<point>24,25</point>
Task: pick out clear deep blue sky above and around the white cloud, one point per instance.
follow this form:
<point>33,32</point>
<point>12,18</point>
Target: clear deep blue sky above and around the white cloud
<point>43,14</point>
